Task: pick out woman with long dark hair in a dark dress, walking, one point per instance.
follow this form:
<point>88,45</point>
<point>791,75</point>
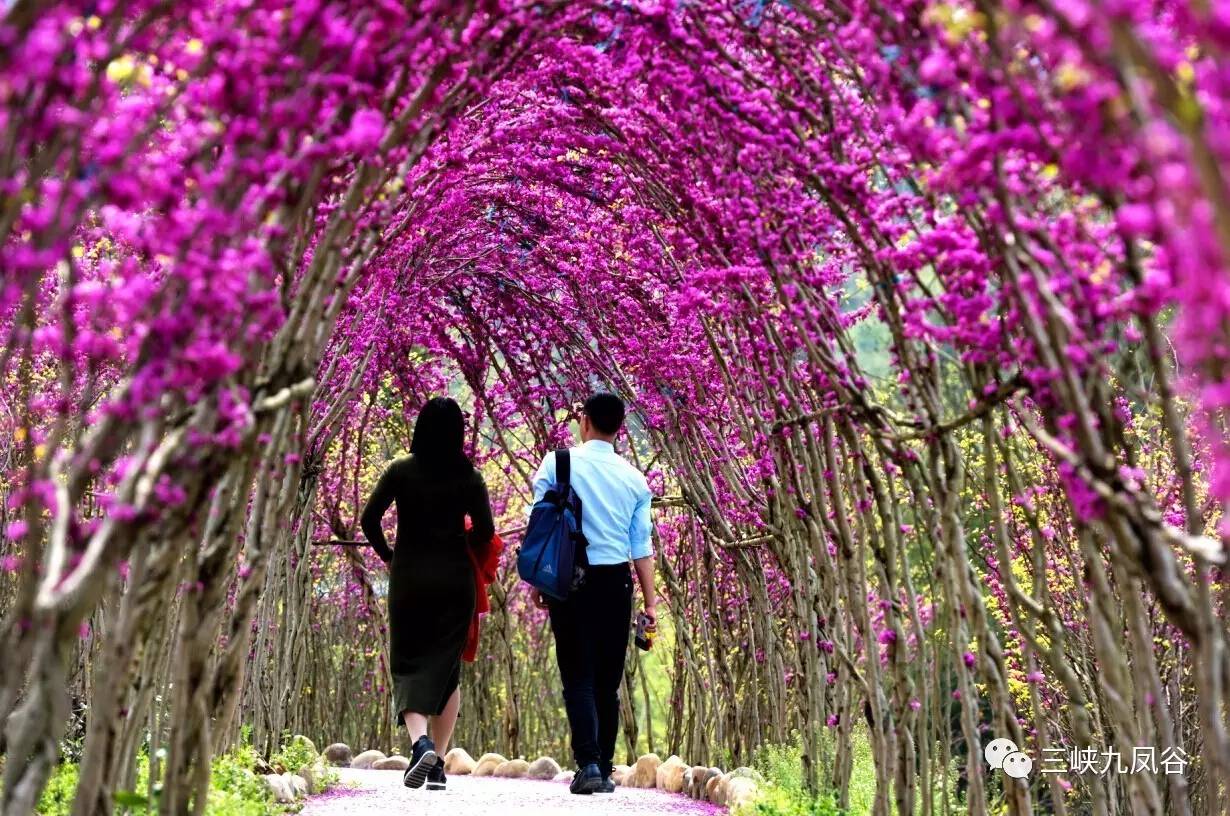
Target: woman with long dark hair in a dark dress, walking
<point>432,580</point>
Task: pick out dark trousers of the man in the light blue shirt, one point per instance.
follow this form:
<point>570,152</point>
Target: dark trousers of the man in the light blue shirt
<point>591,644</point>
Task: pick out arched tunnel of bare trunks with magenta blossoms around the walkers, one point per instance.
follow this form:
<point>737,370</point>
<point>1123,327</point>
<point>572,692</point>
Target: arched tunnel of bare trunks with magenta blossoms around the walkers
<point>921,311</point>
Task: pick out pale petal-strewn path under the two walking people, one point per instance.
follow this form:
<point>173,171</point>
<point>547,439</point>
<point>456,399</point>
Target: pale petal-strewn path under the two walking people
<point>367,793</point>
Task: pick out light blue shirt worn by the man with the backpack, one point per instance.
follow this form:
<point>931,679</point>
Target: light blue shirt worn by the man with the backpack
<point>614,502</point>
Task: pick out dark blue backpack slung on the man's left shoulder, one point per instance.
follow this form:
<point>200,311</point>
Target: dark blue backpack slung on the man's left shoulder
<point>553,554</point>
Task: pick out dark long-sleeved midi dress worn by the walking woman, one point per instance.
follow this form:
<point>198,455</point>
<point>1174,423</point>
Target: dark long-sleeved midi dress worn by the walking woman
<point>431,582</point>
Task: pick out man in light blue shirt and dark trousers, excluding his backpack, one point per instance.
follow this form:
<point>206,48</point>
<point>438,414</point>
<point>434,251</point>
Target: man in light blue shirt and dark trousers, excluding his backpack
<point>592,626</point>
